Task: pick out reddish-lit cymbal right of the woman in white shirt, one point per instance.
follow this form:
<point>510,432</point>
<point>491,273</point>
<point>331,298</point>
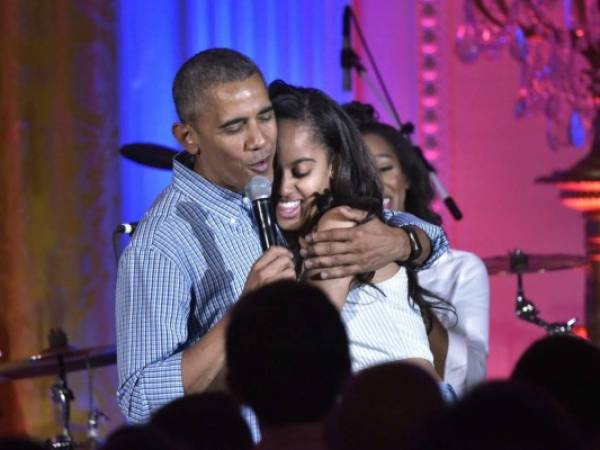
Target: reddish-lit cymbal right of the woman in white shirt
<point>519,262</point>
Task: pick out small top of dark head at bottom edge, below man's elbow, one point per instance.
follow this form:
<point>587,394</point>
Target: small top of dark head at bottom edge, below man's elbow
<point>140,438</point>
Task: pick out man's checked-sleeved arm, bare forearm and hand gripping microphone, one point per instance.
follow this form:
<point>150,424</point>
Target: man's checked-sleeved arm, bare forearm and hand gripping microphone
<point>153,306</point>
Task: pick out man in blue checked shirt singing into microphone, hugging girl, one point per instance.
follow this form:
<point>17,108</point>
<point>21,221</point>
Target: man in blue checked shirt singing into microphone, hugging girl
<point>197,249</point>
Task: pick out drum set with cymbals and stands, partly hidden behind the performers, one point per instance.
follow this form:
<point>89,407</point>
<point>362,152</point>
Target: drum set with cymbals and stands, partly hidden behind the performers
<point>60,358</point>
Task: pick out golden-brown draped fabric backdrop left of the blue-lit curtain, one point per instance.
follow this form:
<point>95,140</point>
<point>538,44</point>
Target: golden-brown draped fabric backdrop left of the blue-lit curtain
<point>58,195</point>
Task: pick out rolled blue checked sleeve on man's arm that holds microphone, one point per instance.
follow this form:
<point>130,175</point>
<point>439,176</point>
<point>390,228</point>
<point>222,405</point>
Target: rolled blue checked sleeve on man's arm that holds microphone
<point>152,306</point>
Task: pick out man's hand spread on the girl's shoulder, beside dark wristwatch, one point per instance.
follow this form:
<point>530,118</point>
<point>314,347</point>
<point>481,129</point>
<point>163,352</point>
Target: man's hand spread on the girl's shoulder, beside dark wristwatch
<point>363,248</point>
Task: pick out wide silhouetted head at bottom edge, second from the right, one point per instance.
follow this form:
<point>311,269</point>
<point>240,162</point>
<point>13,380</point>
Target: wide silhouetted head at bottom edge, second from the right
<point>502,415</point>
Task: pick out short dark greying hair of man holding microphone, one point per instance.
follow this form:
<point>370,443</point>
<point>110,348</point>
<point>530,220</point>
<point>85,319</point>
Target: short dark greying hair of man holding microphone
<point>203,71</point>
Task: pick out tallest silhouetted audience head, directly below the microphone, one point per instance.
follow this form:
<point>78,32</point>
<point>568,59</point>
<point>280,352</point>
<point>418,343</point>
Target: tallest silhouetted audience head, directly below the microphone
<point>287,353</point>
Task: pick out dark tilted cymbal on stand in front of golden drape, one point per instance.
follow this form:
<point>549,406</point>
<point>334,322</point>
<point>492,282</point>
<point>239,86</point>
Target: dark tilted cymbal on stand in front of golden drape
<point>46,362</point>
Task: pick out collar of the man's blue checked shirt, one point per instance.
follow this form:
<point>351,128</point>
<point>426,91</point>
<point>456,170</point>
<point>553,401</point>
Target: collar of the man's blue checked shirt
<point>216,198</point>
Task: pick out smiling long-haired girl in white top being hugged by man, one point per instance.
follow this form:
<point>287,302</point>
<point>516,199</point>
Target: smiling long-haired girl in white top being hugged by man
<point>322,164</point>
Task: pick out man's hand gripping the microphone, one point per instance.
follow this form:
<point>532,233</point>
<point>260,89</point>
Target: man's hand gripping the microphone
<point>275,264</point>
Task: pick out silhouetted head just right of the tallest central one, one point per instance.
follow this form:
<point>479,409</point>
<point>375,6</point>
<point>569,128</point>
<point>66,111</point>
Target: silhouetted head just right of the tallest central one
<point>382,408</point>
